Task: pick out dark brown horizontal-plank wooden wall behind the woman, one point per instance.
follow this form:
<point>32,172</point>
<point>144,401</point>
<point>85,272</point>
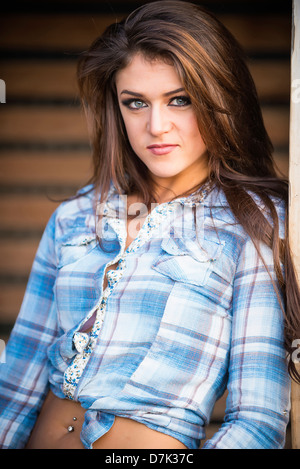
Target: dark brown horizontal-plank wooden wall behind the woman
<point>44,150</point>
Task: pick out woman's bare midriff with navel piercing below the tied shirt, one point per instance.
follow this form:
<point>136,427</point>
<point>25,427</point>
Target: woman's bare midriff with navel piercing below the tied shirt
<point>60,421</point>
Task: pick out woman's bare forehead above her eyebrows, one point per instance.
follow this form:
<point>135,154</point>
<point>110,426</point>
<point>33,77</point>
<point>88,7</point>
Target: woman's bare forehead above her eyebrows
<point>143,74</point>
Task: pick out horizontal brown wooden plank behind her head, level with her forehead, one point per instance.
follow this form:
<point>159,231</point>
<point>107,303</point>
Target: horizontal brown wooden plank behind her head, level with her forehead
<point>39,78</point>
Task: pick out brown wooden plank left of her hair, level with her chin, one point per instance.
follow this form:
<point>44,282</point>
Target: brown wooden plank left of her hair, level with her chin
<point>71,168</point>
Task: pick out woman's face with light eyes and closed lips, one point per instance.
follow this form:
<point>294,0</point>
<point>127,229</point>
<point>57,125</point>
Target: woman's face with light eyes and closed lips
<point>161,124</point>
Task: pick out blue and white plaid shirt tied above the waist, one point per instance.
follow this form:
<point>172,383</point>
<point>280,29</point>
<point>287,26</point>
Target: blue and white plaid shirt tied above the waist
<point>189,311</point>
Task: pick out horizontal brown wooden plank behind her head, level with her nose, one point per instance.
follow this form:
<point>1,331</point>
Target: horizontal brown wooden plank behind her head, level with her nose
<point>63,124</point>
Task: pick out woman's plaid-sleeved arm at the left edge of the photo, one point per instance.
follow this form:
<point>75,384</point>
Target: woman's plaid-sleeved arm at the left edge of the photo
<point>23,376</point>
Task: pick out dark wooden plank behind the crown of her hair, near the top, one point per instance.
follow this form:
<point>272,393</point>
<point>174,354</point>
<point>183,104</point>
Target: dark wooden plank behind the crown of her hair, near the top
<point>69,32</point>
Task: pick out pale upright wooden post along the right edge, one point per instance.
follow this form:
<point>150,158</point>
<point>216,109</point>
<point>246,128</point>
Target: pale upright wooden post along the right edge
<point>294,176</point>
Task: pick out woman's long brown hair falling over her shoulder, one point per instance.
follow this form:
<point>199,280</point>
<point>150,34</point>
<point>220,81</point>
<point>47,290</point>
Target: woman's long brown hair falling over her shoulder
<point>213,70</point>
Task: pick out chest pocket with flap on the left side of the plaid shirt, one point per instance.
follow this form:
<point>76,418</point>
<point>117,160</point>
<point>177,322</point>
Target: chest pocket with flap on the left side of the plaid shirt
<point>76,247</point>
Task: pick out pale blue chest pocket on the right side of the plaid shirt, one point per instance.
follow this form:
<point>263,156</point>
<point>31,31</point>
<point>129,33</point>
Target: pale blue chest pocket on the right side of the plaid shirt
<point>188,261</point>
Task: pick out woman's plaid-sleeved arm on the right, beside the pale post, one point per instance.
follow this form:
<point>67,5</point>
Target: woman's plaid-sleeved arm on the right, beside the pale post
<point>258,384</point>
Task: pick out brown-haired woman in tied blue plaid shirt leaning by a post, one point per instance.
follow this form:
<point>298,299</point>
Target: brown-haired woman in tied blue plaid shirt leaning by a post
<point>162,282</point>
